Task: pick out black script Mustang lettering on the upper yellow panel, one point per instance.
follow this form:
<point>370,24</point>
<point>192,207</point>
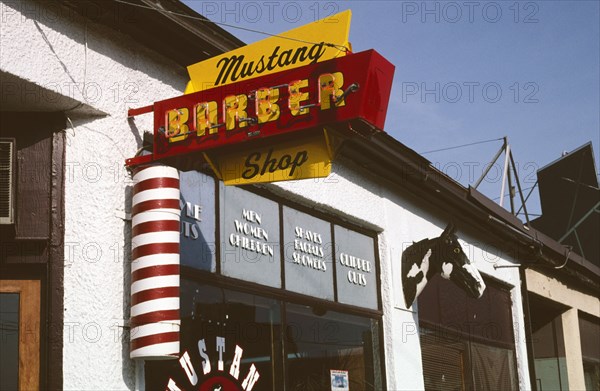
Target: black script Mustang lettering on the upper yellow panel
<point>234,67</point>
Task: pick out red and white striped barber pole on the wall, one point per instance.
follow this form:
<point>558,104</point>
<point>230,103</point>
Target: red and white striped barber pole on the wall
<point>155,318</point>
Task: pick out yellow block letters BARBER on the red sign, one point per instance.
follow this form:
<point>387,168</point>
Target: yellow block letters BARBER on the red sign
<point>203,119</point>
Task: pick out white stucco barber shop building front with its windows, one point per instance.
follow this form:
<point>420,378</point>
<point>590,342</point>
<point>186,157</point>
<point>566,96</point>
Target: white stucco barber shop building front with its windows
<point>288,285</point>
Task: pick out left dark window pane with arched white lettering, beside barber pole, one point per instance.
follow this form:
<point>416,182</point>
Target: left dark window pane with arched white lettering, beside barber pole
<point>216,319</point>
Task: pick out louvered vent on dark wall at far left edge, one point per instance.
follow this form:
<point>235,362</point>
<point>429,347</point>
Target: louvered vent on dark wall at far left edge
<point>7,181</point>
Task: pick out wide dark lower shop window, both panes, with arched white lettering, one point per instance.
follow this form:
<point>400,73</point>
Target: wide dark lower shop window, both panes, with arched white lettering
<point>304,347</point>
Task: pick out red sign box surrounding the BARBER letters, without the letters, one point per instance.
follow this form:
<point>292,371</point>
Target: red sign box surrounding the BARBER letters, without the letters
<point>361,109</point>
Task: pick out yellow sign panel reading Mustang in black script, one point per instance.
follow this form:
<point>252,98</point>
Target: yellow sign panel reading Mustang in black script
<point>314,42</point>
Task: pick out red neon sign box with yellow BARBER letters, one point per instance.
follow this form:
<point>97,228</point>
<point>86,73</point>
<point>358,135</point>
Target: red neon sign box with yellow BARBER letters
<point>349,94</point>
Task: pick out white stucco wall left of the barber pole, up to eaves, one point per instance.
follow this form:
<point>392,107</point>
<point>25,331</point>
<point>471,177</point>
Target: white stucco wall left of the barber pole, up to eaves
<point>58,50</point>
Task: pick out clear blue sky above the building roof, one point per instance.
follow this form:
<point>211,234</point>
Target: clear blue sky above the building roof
<point>467,71</point>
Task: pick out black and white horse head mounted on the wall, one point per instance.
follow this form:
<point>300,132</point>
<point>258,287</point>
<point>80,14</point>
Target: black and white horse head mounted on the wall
<point>443,255</point>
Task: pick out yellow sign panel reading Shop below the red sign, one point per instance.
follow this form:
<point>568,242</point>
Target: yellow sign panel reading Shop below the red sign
<point>298,159</point>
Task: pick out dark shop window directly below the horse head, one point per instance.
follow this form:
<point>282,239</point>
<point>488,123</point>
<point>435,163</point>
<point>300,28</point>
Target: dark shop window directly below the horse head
<point>467,344</point>
